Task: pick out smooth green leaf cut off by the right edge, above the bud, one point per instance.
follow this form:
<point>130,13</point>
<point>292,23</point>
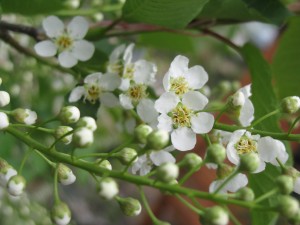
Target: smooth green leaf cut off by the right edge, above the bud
<point>285,65</point>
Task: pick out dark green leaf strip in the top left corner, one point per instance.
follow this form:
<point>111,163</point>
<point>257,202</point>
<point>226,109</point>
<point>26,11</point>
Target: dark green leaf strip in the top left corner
<point>30,7</point>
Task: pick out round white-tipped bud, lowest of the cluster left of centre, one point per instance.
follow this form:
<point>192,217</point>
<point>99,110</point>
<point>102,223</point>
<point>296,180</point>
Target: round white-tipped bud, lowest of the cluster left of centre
<point>83,137</point>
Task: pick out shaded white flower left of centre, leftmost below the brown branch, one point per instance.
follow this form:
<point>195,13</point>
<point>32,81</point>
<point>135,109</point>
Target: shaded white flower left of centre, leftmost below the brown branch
<point>97,86</point>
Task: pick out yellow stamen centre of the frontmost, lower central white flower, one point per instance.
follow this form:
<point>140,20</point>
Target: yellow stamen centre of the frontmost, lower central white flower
<point>181,116</point>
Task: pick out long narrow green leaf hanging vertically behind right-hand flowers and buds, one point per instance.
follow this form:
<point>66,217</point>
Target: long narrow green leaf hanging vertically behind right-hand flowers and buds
<point>264,101</point>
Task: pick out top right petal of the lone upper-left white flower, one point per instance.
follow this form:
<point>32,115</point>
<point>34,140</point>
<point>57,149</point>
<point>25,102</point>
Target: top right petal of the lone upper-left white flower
<point>78,27</point>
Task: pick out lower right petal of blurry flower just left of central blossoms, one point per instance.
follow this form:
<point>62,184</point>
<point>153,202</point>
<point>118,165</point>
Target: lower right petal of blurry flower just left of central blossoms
<point>146,111</point>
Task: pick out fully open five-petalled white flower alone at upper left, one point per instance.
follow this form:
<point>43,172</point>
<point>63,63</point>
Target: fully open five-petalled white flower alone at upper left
<point>68,42</point>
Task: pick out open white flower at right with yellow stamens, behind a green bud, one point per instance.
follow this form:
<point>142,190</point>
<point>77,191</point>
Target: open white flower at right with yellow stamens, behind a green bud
<point>267,148</point>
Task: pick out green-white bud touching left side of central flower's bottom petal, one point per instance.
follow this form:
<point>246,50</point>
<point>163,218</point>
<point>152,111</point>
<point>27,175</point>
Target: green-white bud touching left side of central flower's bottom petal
<point>158,139</point>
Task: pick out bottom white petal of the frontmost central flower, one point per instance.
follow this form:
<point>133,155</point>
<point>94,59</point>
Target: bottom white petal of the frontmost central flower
<point>183,139</point>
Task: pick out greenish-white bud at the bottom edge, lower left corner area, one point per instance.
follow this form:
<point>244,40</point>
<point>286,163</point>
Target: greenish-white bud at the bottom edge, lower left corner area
<point>61,214</point>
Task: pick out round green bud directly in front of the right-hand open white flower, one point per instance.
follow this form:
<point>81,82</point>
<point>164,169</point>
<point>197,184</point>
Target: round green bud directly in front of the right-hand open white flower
<point>249,162</point>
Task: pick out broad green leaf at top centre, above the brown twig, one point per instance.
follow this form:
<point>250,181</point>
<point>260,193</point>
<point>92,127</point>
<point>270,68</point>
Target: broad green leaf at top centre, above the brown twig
<point>167,13</point>
